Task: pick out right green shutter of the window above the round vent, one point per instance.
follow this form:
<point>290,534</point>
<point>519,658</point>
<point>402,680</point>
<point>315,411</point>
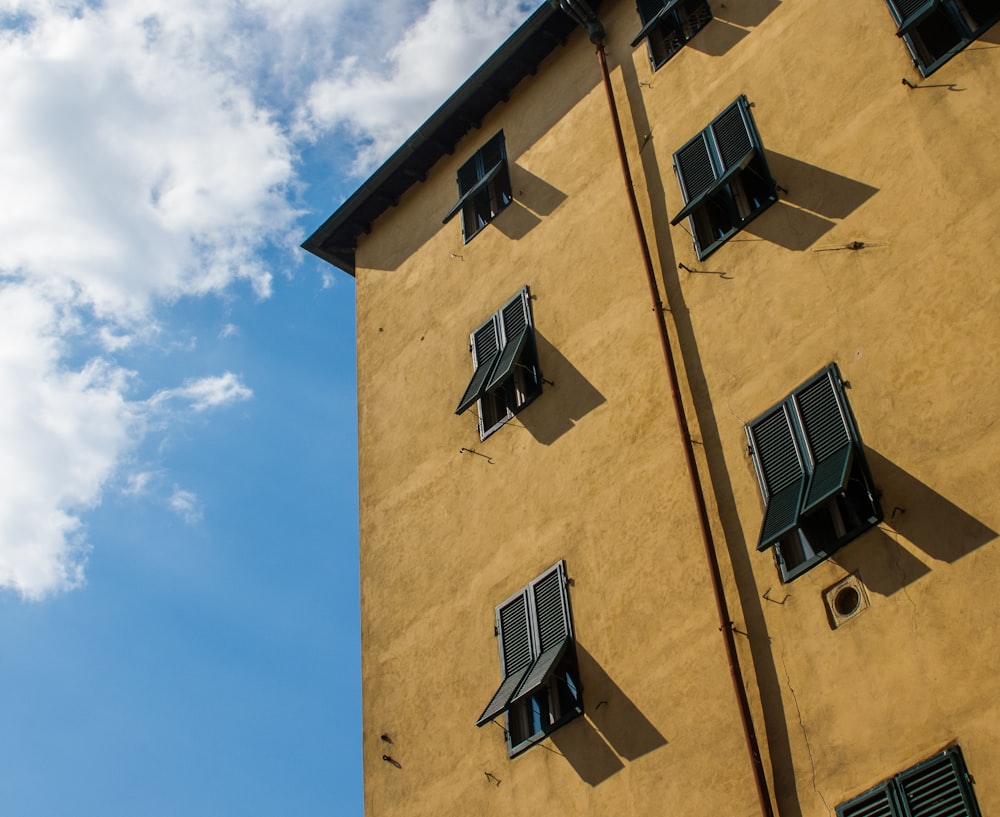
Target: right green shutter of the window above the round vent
<point>824,422</point>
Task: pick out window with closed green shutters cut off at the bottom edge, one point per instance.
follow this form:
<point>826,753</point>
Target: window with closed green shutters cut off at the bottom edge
<point>937,786</point>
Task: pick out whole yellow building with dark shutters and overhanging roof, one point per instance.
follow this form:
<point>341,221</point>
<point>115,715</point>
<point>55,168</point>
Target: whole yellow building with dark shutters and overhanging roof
<point>574,566</point>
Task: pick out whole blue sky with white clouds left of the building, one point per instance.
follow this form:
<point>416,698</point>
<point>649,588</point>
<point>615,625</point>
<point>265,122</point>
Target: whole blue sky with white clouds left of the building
<point>178,523</point>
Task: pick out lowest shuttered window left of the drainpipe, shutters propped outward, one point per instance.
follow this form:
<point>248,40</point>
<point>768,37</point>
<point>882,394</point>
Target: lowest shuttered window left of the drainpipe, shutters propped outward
<point>540,690</point>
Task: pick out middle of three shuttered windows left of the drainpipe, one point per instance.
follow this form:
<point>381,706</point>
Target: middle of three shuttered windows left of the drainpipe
<point>505,375</point>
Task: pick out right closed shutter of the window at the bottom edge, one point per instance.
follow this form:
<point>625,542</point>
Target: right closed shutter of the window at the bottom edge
<point>937,787</point>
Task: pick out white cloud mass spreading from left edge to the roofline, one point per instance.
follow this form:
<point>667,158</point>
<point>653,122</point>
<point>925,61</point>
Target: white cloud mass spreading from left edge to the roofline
<point>148,154</point>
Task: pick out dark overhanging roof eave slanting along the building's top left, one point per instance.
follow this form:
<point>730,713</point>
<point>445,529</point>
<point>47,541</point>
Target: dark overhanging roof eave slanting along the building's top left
<point>336,239</point>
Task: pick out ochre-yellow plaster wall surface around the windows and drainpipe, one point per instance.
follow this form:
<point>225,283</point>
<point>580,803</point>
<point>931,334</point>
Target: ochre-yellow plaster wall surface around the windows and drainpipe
<point>592,472</point>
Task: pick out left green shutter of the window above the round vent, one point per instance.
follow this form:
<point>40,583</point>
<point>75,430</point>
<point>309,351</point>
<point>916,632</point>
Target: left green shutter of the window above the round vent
<point>781,472</point>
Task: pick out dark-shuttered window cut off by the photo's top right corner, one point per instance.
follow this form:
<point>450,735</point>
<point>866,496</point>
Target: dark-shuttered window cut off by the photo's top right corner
<point>910,15</point>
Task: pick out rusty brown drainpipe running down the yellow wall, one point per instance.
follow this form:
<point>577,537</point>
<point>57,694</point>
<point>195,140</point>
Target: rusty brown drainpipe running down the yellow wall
<point>581,13</point>
